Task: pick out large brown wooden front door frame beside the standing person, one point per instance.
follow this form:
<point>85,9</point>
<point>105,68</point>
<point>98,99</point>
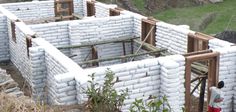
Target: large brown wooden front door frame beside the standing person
<point>213,73</point>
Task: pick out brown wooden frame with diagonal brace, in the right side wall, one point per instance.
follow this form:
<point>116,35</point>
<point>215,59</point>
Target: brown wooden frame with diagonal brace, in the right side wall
<point>148,31</point>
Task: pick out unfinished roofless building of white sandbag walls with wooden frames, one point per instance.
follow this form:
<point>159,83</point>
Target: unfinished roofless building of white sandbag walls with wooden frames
<point>57,44</point>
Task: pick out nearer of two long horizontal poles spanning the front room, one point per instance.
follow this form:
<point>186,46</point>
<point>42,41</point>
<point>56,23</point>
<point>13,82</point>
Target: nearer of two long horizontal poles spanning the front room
<point>120,57</point>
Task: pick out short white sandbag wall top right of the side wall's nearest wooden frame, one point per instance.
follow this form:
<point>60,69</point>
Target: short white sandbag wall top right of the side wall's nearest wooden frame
<point>217,43</point>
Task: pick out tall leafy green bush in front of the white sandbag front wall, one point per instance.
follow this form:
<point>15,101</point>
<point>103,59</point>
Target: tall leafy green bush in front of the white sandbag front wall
<point>105,98</point>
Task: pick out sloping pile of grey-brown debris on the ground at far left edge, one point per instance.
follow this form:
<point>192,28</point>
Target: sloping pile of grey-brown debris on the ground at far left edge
<point>8,85</point>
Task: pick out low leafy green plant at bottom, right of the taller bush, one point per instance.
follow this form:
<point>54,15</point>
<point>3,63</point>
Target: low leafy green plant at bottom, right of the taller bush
<point>154,105</point>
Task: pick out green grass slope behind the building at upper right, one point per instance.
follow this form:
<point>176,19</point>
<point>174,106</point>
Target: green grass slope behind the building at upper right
<point>193,16</point>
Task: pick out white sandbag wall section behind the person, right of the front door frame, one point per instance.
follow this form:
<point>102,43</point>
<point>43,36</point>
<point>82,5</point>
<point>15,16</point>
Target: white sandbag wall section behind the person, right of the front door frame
<point>227,73</point>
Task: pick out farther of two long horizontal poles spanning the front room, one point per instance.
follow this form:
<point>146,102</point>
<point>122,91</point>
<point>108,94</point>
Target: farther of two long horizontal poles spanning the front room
<point>98,43</point>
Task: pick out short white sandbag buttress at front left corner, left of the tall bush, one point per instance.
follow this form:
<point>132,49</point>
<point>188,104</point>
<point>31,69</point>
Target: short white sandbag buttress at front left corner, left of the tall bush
<point>61,89</point>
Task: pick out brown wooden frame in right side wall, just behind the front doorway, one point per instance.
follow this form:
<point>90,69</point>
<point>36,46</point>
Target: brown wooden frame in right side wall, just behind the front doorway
<point>198,42</point>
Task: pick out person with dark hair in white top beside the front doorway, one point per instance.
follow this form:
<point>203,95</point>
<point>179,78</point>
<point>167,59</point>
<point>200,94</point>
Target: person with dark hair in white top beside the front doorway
<point>216,98</point>
